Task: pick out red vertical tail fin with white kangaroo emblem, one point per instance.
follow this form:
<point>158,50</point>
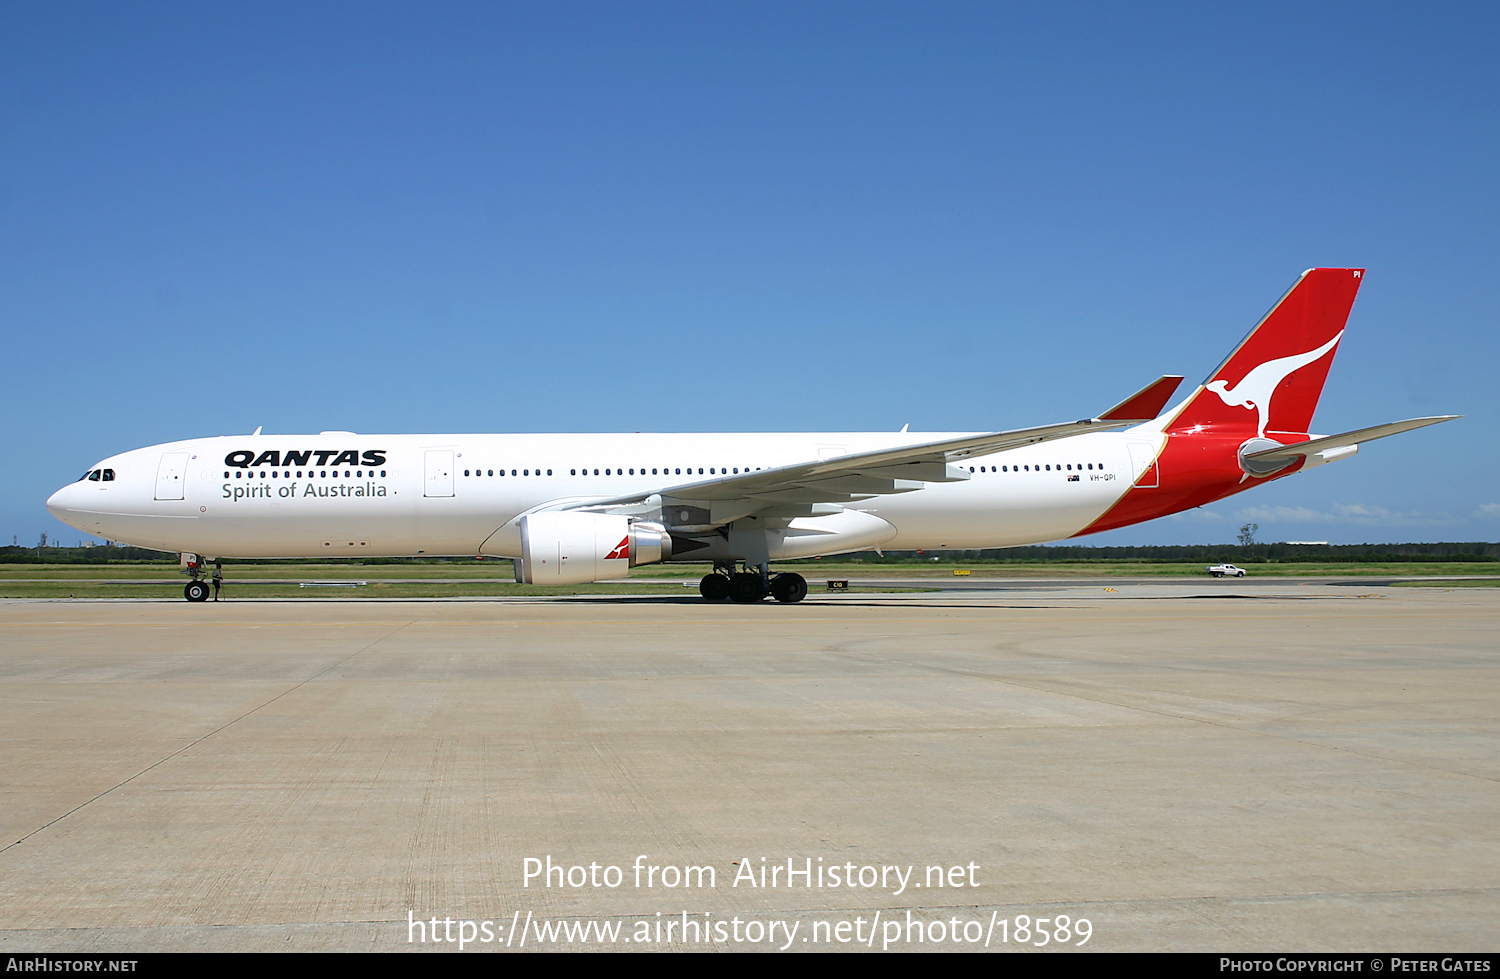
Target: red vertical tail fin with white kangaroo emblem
<point>1273,380</point>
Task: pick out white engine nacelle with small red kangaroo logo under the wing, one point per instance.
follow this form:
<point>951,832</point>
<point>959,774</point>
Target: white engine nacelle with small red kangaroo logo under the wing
<point>575,548</point>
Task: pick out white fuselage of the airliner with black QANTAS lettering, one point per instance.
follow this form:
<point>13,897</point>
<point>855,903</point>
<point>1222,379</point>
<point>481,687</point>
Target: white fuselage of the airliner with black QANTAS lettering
<point>409,495</point>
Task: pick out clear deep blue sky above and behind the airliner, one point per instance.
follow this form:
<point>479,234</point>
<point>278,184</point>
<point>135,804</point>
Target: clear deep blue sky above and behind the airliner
<point>590,218</point>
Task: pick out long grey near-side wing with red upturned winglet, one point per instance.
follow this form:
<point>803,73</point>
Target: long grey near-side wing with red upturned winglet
<point>898,470</point>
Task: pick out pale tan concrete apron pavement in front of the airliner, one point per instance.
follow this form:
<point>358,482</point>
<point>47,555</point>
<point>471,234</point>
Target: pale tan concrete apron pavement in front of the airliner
<point>1187,765</point>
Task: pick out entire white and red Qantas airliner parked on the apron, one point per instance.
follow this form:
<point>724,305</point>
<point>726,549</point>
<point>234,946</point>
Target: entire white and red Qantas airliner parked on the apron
<point>575,509</point>
